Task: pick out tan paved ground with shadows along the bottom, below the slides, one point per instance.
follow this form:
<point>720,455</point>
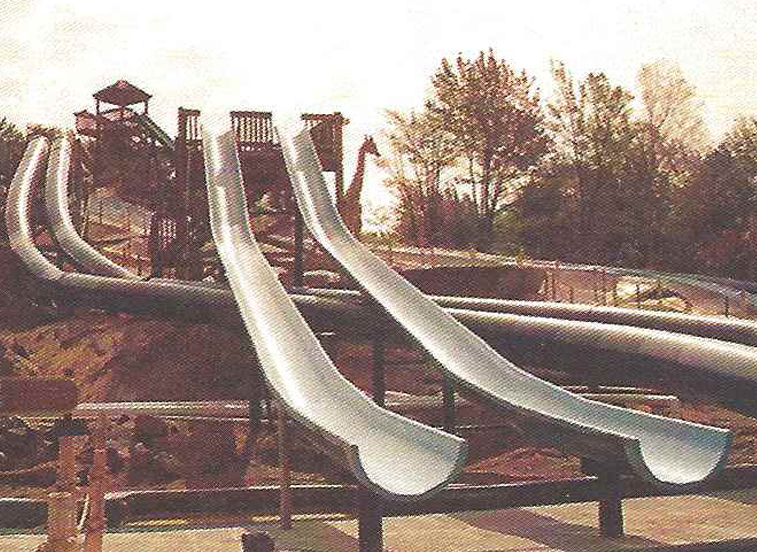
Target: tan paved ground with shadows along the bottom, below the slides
<point>651,524</point>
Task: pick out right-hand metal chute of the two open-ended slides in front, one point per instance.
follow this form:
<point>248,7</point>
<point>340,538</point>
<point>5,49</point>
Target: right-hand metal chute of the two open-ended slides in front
<point>662,451</point>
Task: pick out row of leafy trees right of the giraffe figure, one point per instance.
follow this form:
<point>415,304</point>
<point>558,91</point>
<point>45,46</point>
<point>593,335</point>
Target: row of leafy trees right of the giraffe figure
<point>592,174</point>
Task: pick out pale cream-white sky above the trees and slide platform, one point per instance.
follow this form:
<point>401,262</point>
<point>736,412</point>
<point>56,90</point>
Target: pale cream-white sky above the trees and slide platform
<point>356,57</point>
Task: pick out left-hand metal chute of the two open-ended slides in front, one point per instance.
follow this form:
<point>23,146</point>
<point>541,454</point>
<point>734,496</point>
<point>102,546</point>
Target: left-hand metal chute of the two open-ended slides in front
<point>391,455</point>
